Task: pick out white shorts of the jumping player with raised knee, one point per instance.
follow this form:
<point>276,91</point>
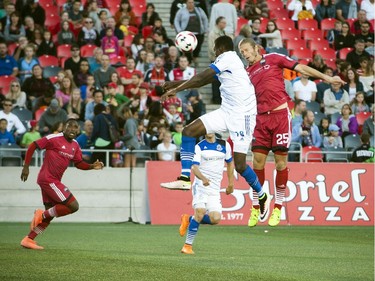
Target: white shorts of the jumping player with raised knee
<point>240,127</point>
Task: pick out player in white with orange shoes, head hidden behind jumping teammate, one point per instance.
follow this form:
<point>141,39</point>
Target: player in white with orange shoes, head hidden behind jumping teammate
<point>210,157</point>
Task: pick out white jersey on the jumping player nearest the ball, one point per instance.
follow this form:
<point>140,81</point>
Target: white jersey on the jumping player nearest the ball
<point>237,92</point>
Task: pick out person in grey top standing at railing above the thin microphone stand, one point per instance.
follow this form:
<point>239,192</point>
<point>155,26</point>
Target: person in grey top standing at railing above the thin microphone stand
<point>130,137</point>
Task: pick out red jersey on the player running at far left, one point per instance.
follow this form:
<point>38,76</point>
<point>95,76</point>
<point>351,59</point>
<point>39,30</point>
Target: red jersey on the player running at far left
<point>59,153</point>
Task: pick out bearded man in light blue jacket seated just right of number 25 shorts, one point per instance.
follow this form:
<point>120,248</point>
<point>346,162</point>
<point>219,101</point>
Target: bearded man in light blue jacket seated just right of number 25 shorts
<point>307,133</point>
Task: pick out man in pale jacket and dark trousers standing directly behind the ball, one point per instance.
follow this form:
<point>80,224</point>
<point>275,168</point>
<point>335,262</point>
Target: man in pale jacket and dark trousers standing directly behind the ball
<point>198,24</point>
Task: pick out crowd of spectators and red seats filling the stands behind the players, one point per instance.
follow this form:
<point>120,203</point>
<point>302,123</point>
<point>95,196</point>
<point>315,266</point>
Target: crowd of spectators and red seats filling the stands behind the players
<point>104,62</point>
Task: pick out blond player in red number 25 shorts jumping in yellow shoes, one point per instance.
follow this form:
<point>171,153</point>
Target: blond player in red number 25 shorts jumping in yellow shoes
<point>273,122</point>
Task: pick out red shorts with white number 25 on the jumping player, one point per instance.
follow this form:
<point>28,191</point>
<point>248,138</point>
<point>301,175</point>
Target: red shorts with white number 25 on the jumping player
<point>273,131</point>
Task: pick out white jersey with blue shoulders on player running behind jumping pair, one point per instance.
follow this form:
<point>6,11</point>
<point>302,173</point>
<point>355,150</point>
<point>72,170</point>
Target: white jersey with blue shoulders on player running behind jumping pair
<point>210,157</point>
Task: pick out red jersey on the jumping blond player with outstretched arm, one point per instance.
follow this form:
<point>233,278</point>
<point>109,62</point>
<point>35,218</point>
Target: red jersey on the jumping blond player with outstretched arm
<point>267,77</point>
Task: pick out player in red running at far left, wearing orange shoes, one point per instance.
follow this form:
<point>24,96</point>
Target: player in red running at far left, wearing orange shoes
<point>58,200</point>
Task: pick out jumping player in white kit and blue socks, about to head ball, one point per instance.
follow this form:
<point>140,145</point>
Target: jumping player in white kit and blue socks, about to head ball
<point>237,115</point>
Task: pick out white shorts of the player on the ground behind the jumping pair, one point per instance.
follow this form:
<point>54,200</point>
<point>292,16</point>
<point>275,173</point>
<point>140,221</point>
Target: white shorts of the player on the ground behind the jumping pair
<point>205,197</point>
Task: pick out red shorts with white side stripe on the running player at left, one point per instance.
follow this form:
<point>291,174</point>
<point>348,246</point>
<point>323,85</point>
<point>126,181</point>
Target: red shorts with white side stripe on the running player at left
<point>54,192</point>
